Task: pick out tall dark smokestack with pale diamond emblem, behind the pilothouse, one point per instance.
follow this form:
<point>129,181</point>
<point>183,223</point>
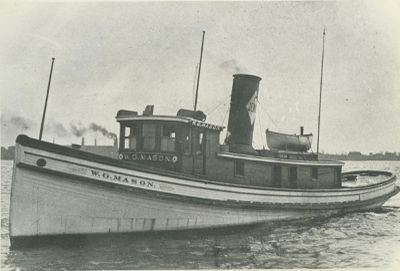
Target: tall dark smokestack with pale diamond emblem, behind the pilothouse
<point>242,113</point>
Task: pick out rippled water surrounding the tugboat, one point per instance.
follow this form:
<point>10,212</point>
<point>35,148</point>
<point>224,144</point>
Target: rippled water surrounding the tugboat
<point>370,239</point>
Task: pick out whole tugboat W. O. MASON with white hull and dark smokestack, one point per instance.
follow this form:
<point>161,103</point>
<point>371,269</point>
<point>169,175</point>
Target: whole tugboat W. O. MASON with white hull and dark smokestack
<point>173,174</point>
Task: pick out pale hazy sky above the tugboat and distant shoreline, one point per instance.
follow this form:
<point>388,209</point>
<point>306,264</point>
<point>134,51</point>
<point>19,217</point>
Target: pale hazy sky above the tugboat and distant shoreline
<point>126,55</point>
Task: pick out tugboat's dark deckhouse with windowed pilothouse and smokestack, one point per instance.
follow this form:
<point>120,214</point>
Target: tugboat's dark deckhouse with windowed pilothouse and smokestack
<point>188,145</point>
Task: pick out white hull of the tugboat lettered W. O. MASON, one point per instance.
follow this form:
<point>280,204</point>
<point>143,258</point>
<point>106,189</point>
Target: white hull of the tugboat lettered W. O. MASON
<point>70,195</point>
